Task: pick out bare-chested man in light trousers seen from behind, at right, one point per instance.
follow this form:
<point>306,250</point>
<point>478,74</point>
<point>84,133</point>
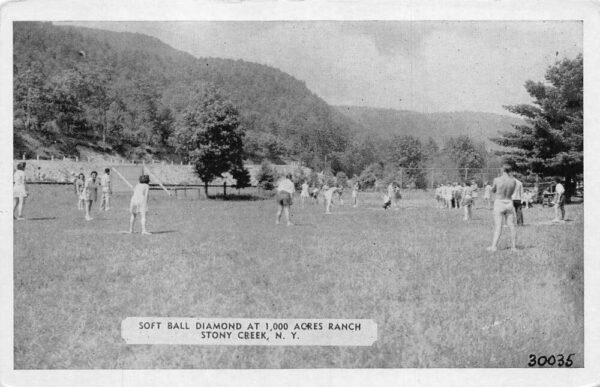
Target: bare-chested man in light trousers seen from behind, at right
<point>503,187</point>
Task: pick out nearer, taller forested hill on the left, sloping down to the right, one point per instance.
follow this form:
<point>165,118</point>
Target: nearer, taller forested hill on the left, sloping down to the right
<point>125,92</point>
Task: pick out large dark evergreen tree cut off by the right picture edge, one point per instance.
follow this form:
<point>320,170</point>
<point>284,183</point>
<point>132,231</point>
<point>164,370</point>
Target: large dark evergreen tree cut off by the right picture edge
<point>550,143</point>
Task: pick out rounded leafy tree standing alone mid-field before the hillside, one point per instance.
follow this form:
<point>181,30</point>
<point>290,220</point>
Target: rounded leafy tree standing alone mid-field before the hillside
<point>209,135</point>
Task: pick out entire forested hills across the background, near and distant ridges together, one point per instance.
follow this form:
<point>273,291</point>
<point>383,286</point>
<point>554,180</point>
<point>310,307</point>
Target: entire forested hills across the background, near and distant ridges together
<point>78,89</point>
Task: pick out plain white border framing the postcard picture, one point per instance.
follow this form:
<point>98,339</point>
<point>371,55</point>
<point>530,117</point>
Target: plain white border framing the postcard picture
<point>62,10</point>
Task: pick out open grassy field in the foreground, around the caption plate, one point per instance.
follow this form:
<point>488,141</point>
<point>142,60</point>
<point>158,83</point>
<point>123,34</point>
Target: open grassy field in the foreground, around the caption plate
<point>422,274</point>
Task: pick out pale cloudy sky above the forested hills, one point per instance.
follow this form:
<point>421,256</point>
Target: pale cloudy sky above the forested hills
<point>433,66</point>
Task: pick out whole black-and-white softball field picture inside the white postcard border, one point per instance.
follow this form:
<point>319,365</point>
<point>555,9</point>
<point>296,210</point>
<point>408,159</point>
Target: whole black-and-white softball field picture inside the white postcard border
<point>297,194</point>
